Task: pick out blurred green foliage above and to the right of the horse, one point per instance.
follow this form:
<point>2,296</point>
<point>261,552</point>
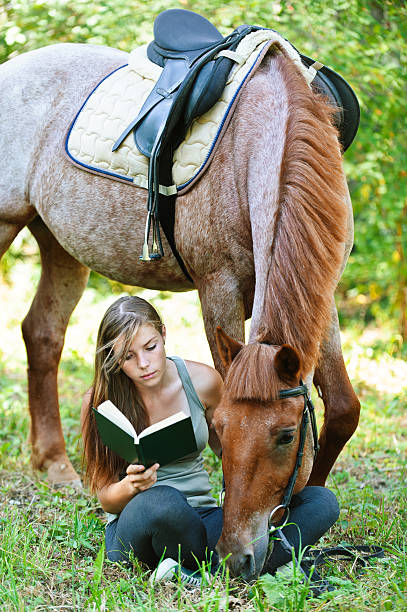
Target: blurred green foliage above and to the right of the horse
<point>364,40</point>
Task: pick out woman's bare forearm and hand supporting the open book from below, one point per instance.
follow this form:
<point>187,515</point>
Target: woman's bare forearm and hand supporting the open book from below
<point>116,495</point>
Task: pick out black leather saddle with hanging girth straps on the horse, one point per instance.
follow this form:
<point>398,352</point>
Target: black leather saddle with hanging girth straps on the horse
<point>196,61</point>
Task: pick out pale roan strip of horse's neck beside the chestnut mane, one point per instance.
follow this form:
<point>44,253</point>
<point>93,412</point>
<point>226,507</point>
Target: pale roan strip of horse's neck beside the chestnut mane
<point>261,122</point>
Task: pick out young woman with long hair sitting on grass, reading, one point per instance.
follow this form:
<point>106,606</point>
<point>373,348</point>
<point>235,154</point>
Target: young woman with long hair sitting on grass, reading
<point>166,512</point>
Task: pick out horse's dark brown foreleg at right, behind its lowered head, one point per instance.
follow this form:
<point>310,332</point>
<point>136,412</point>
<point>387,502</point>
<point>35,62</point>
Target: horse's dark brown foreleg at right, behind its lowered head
<point>341,404</point>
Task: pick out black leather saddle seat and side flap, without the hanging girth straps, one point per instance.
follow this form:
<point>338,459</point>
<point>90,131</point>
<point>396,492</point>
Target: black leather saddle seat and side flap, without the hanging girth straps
<point>185,45</point>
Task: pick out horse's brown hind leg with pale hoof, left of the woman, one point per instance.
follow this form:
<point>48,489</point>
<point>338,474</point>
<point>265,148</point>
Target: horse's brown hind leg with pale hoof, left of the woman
<point>62,282</point>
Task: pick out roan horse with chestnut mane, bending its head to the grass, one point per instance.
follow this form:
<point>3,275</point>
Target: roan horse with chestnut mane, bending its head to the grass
<point>265,233</point>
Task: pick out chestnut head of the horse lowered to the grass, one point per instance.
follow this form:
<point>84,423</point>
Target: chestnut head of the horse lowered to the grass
<point>260,436</point>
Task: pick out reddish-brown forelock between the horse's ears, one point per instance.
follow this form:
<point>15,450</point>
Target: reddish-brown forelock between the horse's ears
<point>251,375</point>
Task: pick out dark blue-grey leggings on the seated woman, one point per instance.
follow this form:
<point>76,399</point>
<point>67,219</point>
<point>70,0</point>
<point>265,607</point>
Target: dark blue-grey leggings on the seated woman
<point>160,520</point>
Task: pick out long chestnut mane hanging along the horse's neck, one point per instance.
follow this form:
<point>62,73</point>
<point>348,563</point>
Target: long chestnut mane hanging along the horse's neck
<point>308,244</point>
